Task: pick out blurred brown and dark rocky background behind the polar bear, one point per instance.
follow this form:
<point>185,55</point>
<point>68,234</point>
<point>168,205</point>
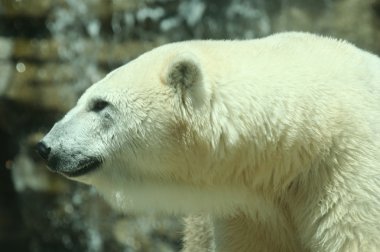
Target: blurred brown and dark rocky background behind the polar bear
<point>52,50</point>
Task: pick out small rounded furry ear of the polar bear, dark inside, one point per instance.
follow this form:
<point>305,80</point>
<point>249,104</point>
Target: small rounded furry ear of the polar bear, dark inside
<point>184,73</point>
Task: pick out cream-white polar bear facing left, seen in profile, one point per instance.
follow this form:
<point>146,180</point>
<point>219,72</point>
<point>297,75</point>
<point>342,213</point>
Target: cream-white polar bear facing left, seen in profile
<point>275,141</point>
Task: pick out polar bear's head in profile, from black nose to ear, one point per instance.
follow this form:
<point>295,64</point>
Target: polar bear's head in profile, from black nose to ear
<point>145,122</point>
